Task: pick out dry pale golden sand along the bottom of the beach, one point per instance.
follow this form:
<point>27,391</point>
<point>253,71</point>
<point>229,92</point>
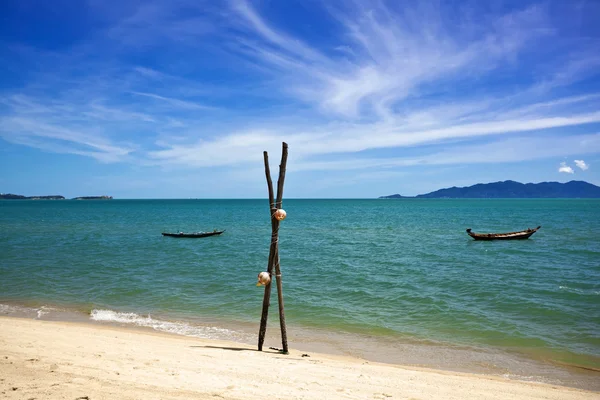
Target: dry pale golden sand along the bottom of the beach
<point>61,360</point>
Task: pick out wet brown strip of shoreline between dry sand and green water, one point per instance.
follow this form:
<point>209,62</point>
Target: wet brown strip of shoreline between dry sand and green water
<point>391,351</point>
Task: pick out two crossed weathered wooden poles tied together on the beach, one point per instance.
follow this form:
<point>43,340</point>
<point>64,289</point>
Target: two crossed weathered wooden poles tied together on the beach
<point>274,205</point>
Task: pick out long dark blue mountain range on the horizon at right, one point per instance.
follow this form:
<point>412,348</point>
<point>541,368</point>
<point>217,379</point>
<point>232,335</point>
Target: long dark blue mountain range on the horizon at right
<point>512,189</point>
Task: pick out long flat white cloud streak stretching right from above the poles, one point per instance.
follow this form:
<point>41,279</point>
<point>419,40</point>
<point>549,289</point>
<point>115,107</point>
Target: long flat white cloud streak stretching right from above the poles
<point>243,147</point>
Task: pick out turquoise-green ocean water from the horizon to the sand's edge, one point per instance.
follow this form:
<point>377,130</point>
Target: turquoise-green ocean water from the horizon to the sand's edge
<point>389,280</point>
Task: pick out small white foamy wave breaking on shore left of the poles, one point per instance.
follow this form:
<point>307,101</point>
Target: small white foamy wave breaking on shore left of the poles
<point>179,328</point>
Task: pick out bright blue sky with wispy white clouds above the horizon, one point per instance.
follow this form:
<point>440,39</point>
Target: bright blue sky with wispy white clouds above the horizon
<point>179,98</point>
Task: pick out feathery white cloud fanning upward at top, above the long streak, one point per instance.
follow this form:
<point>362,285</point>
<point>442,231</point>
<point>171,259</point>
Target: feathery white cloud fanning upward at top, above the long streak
<point>396,56</point>
